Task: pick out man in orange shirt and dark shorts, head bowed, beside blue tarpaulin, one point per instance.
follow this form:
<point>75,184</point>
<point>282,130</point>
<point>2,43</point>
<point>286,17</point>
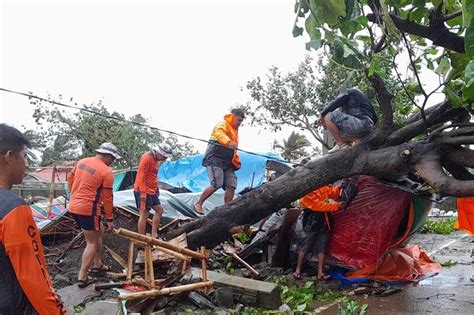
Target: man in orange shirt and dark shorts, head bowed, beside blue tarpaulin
<point>146,188</point>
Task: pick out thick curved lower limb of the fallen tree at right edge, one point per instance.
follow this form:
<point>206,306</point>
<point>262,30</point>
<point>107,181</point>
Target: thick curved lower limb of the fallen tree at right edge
<point>432,172</point>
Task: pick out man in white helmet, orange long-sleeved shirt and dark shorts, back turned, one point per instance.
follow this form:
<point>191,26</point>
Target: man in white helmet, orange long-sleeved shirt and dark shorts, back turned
<point>91,184</point>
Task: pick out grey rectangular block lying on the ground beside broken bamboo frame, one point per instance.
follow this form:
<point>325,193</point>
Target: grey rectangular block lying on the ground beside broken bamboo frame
<point>267,293</point>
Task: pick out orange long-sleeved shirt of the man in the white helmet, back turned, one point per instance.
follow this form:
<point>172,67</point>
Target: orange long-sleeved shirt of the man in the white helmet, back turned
<point>91,184</point>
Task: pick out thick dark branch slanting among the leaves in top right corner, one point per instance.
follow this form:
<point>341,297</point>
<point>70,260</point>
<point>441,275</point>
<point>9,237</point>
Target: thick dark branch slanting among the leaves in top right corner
<point>440,36</point>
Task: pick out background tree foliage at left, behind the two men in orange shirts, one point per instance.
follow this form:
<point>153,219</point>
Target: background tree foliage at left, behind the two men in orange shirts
<point>69,136</point>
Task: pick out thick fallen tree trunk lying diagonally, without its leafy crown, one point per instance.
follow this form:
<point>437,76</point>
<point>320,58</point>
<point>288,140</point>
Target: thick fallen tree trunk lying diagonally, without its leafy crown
<point>387,162</point>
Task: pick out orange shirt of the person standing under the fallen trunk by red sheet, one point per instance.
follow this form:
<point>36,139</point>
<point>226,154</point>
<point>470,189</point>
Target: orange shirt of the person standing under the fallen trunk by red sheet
<point>319,199</point>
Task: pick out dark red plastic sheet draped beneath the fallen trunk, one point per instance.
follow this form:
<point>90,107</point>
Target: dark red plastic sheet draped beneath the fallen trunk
<point>362,234</point>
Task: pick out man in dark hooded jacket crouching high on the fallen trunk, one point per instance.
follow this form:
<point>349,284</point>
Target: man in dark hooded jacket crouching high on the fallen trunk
<point>354,120</point>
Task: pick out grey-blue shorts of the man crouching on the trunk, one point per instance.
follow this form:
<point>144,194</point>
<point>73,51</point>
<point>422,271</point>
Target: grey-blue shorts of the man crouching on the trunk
<point>351,126</point>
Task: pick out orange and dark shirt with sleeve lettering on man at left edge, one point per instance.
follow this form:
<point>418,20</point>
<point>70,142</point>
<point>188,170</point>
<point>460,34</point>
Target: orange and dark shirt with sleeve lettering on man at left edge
<point>20,244</point>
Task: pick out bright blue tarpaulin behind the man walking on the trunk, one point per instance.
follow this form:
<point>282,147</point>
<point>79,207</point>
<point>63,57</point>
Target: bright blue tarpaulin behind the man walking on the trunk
<point>190,174</point>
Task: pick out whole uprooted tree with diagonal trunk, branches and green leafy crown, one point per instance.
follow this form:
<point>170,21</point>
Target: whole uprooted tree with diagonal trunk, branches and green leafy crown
<point>436,38</point>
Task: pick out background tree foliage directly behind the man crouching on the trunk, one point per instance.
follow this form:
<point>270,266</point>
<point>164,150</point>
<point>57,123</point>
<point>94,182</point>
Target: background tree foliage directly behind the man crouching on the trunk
<point>296,98</point>
